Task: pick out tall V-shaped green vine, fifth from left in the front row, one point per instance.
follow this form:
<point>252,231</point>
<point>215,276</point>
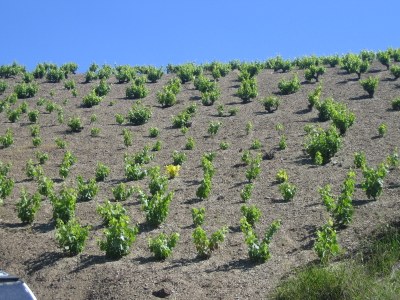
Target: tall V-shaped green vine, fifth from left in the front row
<point>258,249</point>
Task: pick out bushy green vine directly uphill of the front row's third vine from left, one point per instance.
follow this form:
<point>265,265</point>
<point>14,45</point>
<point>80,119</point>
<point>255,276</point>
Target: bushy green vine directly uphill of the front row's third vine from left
<point>156,207</point>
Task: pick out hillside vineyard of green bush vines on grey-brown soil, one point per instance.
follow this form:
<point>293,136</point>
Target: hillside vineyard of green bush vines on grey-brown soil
<point>196,181</point>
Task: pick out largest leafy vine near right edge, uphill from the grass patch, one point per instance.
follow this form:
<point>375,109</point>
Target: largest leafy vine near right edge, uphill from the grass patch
<point>373,181</point>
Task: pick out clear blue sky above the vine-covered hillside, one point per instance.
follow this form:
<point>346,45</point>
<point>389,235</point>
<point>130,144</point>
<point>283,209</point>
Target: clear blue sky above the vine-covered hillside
<point>159,32</point>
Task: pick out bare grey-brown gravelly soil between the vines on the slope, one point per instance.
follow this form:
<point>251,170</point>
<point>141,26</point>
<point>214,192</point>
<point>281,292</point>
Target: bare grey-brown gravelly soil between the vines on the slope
<point>31,252</point>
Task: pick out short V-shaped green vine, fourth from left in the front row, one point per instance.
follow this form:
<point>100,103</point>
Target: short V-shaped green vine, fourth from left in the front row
<point>204,245</point>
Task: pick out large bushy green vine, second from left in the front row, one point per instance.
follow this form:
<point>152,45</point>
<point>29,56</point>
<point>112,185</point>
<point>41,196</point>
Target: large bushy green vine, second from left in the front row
<point>119,237</point>
